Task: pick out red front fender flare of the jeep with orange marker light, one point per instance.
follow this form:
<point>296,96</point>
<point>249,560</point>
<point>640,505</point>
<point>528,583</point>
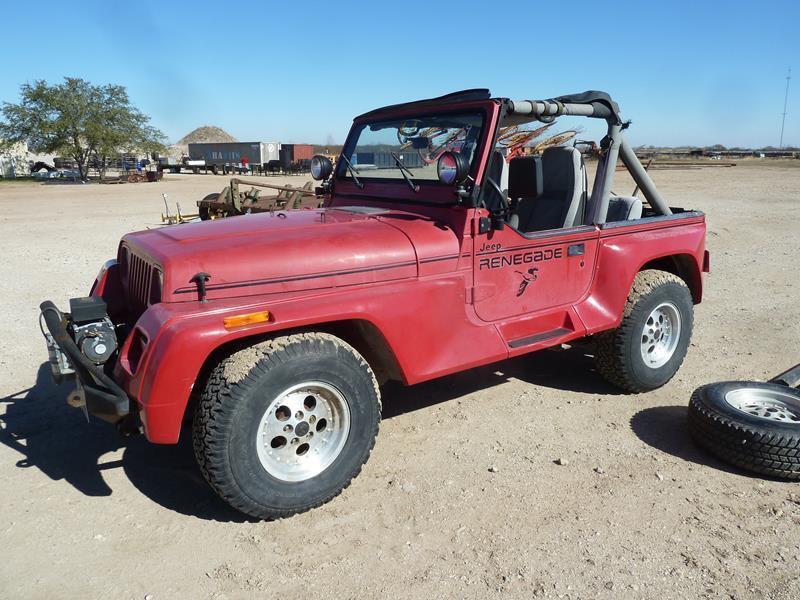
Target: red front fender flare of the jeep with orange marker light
<point>426,325</point>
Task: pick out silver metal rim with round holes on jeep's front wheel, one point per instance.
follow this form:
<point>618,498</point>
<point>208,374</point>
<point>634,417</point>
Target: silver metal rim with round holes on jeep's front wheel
<point>303,431</point>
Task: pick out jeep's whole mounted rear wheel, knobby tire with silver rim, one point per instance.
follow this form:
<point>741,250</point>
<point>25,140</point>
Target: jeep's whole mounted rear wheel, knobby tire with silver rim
<point>649,345</point>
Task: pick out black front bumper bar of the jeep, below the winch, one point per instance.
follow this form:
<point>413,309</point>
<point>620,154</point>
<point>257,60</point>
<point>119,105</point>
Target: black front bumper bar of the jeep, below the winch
<point>96,392</point>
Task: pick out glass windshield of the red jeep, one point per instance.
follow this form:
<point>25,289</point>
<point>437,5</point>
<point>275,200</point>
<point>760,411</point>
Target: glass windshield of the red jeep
<point>381,151</point>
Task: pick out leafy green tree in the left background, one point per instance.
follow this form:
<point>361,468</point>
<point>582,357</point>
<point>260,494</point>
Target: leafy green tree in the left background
<point>79,120</point>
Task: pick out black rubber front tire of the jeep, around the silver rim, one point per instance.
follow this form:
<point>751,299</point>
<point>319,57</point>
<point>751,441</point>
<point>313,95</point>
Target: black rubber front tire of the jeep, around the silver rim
<point>228,422</point>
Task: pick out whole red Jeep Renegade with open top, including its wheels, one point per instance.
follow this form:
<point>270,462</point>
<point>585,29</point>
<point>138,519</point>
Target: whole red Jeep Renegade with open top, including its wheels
<point>433,254</point>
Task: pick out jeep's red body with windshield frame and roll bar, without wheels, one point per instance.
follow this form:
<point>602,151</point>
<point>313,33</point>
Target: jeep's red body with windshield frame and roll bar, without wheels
<point>423,283</point>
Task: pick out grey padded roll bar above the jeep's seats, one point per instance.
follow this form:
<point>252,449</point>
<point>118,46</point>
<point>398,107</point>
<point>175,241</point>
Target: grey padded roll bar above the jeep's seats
<point>597,105</point>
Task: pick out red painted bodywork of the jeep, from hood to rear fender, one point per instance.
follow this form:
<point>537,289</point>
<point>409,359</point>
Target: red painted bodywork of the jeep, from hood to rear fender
<point>444,297</point>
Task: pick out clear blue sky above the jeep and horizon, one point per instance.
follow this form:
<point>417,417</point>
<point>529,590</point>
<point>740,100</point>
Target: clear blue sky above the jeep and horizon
<point>698,72</point>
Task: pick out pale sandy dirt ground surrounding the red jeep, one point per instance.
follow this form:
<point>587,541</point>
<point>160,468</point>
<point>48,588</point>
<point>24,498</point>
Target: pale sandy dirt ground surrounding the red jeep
<point>636,511</point>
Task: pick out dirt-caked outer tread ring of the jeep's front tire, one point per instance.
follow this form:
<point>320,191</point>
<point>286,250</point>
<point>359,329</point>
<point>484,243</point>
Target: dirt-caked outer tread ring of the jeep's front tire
<point>214,415</point>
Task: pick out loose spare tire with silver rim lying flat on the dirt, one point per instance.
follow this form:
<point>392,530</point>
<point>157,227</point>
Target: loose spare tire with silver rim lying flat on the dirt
<point>753,425</point>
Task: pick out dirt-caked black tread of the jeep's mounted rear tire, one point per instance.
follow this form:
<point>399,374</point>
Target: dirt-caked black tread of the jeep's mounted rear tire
<point>609,345</point>
